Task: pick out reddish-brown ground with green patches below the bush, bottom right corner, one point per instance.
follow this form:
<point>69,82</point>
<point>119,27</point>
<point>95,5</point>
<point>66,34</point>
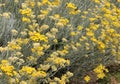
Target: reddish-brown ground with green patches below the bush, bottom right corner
<point>112,77</point>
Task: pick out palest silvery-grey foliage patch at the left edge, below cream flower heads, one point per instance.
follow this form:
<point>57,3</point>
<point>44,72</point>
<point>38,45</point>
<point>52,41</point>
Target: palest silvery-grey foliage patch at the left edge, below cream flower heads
<point>6,25</point>
